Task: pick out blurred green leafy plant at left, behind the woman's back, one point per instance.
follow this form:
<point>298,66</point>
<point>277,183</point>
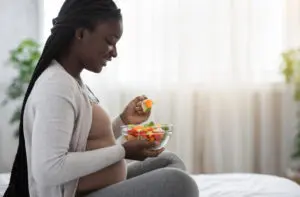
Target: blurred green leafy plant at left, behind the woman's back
<point>23,59</point>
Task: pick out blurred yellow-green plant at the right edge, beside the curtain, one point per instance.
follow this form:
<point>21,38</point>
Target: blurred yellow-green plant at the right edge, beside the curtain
<point>291,72</point>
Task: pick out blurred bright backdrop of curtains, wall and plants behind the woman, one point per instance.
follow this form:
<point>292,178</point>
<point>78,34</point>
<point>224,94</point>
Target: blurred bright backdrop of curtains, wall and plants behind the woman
<point>216,69</point>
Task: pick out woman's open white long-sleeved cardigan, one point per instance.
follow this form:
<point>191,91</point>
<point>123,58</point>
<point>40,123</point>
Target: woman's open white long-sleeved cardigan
<point>57,121</point>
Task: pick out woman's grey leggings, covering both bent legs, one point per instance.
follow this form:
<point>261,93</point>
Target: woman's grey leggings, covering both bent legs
<point>162,176</point>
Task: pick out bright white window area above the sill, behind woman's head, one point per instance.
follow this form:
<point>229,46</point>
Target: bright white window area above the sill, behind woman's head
<point>208,42</point>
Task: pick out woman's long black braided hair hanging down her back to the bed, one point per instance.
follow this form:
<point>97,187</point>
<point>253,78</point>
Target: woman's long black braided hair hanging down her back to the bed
<point>73,14</point>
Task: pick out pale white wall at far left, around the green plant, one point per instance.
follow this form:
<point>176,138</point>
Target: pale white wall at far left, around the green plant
<point>19,19</point>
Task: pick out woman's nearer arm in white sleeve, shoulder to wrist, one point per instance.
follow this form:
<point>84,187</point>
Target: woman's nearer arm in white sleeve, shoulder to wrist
<point>52,163</point>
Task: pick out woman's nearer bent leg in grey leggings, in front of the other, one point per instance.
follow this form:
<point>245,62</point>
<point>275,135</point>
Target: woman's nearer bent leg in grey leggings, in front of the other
<point>167,182</point>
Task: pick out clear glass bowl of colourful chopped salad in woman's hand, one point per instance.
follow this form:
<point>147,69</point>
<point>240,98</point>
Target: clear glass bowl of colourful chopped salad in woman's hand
<point>159,133</point>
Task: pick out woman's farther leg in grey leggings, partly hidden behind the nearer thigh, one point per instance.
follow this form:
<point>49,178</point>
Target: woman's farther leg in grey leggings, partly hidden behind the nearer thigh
<point>165,159</point>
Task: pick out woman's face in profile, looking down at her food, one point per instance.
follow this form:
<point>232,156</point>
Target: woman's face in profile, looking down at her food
<point>97,47</point>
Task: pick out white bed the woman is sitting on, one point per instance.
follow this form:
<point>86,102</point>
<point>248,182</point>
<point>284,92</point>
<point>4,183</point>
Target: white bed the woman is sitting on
<point>230,185</point>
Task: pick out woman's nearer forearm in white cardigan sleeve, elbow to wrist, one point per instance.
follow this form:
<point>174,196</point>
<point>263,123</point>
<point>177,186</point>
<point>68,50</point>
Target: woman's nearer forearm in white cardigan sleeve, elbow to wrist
<point>60,169</point>
